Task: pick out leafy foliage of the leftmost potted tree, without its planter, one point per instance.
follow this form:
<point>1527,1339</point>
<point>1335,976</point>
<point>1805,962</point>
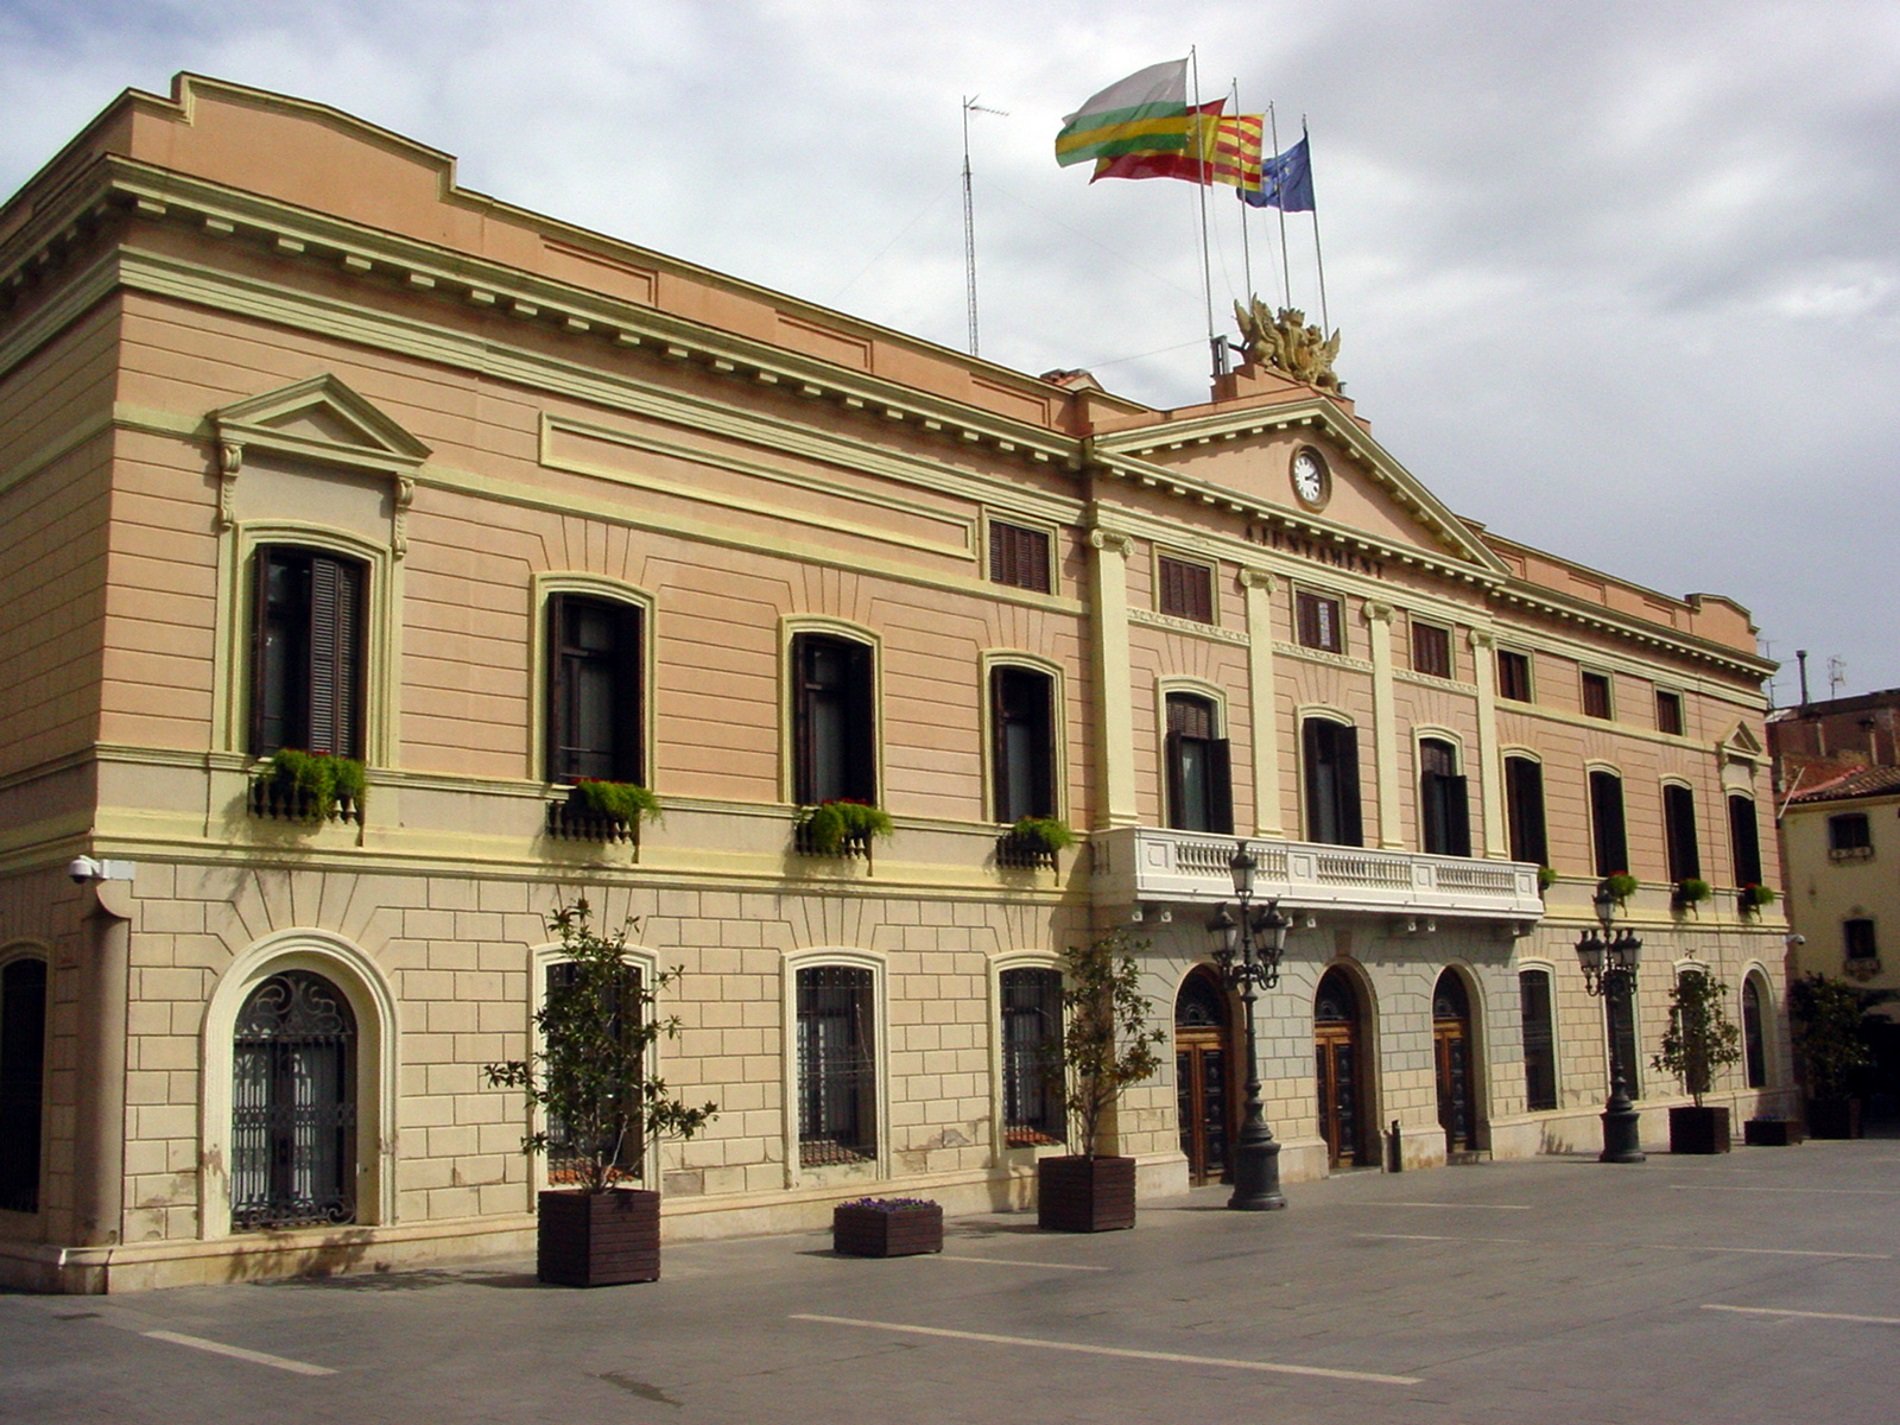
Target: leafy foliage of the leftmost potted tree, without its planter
<point>592,1073</point>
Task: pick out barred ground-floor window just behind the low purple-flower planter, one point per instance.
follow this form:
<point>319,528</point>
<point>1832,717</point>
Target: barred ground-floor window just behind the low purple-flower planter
<point>837,1067</point>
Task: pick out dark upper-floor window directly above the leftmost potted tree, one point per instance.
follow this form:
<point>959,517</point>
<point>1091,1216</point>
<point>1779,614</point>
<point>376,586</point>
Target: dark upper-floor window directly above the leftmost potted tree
<point>596,717</point>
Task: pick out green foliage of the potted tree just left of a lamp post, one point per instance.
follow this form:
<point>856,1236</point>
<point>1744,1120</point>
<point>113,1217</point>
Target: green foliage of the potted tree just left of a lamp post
<point>1107,1046</point>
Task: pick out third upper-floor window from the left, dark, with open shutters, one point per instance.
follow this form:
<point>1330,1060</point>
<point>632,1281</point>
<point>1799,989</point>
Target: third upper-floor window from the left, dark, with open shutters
<point>835,750</point>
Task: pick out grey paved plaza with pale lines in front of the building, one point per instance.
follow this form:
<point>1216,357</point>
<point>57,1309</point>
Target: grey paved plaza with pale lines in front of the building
<point>1755,1287</point>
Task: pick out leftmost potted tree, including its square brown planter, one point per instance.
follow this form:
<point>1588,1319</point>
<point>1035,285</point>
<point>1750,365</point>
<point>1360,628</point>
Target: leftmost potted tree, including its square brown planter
<point>601,1105</point>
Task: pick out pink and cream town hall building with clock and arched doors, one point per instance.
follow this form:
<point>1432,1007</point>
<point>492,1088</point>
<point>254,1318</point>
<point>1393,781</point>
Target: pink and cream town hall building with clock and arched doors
<point>307,449</point>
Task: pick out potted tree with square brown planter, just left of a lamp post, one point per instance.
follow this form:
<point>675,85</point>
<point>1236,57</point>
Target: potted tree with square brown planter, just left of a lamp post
<point>1105,1050</point>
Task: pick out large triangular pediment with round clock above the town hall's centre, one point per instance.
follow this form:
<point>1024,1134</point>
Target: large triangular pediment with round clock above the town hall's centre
<point>1247,457</point>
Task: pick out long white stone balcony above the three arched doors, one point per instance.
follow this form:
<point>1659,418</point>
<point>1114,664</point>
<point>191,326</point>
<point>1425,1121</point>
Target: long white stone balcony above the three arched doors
<point>1145,864</point>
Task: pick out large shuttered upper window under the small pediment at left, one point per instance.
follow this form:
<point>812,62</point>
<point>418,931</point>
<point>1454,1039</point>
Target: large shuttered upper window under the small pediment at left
<point>307,653</point>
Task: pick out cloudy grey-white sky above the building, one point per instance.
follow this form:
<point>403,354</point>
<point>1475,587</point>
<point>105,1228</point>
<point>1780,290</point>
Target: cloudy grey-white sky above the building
<point>1618,280</point>
